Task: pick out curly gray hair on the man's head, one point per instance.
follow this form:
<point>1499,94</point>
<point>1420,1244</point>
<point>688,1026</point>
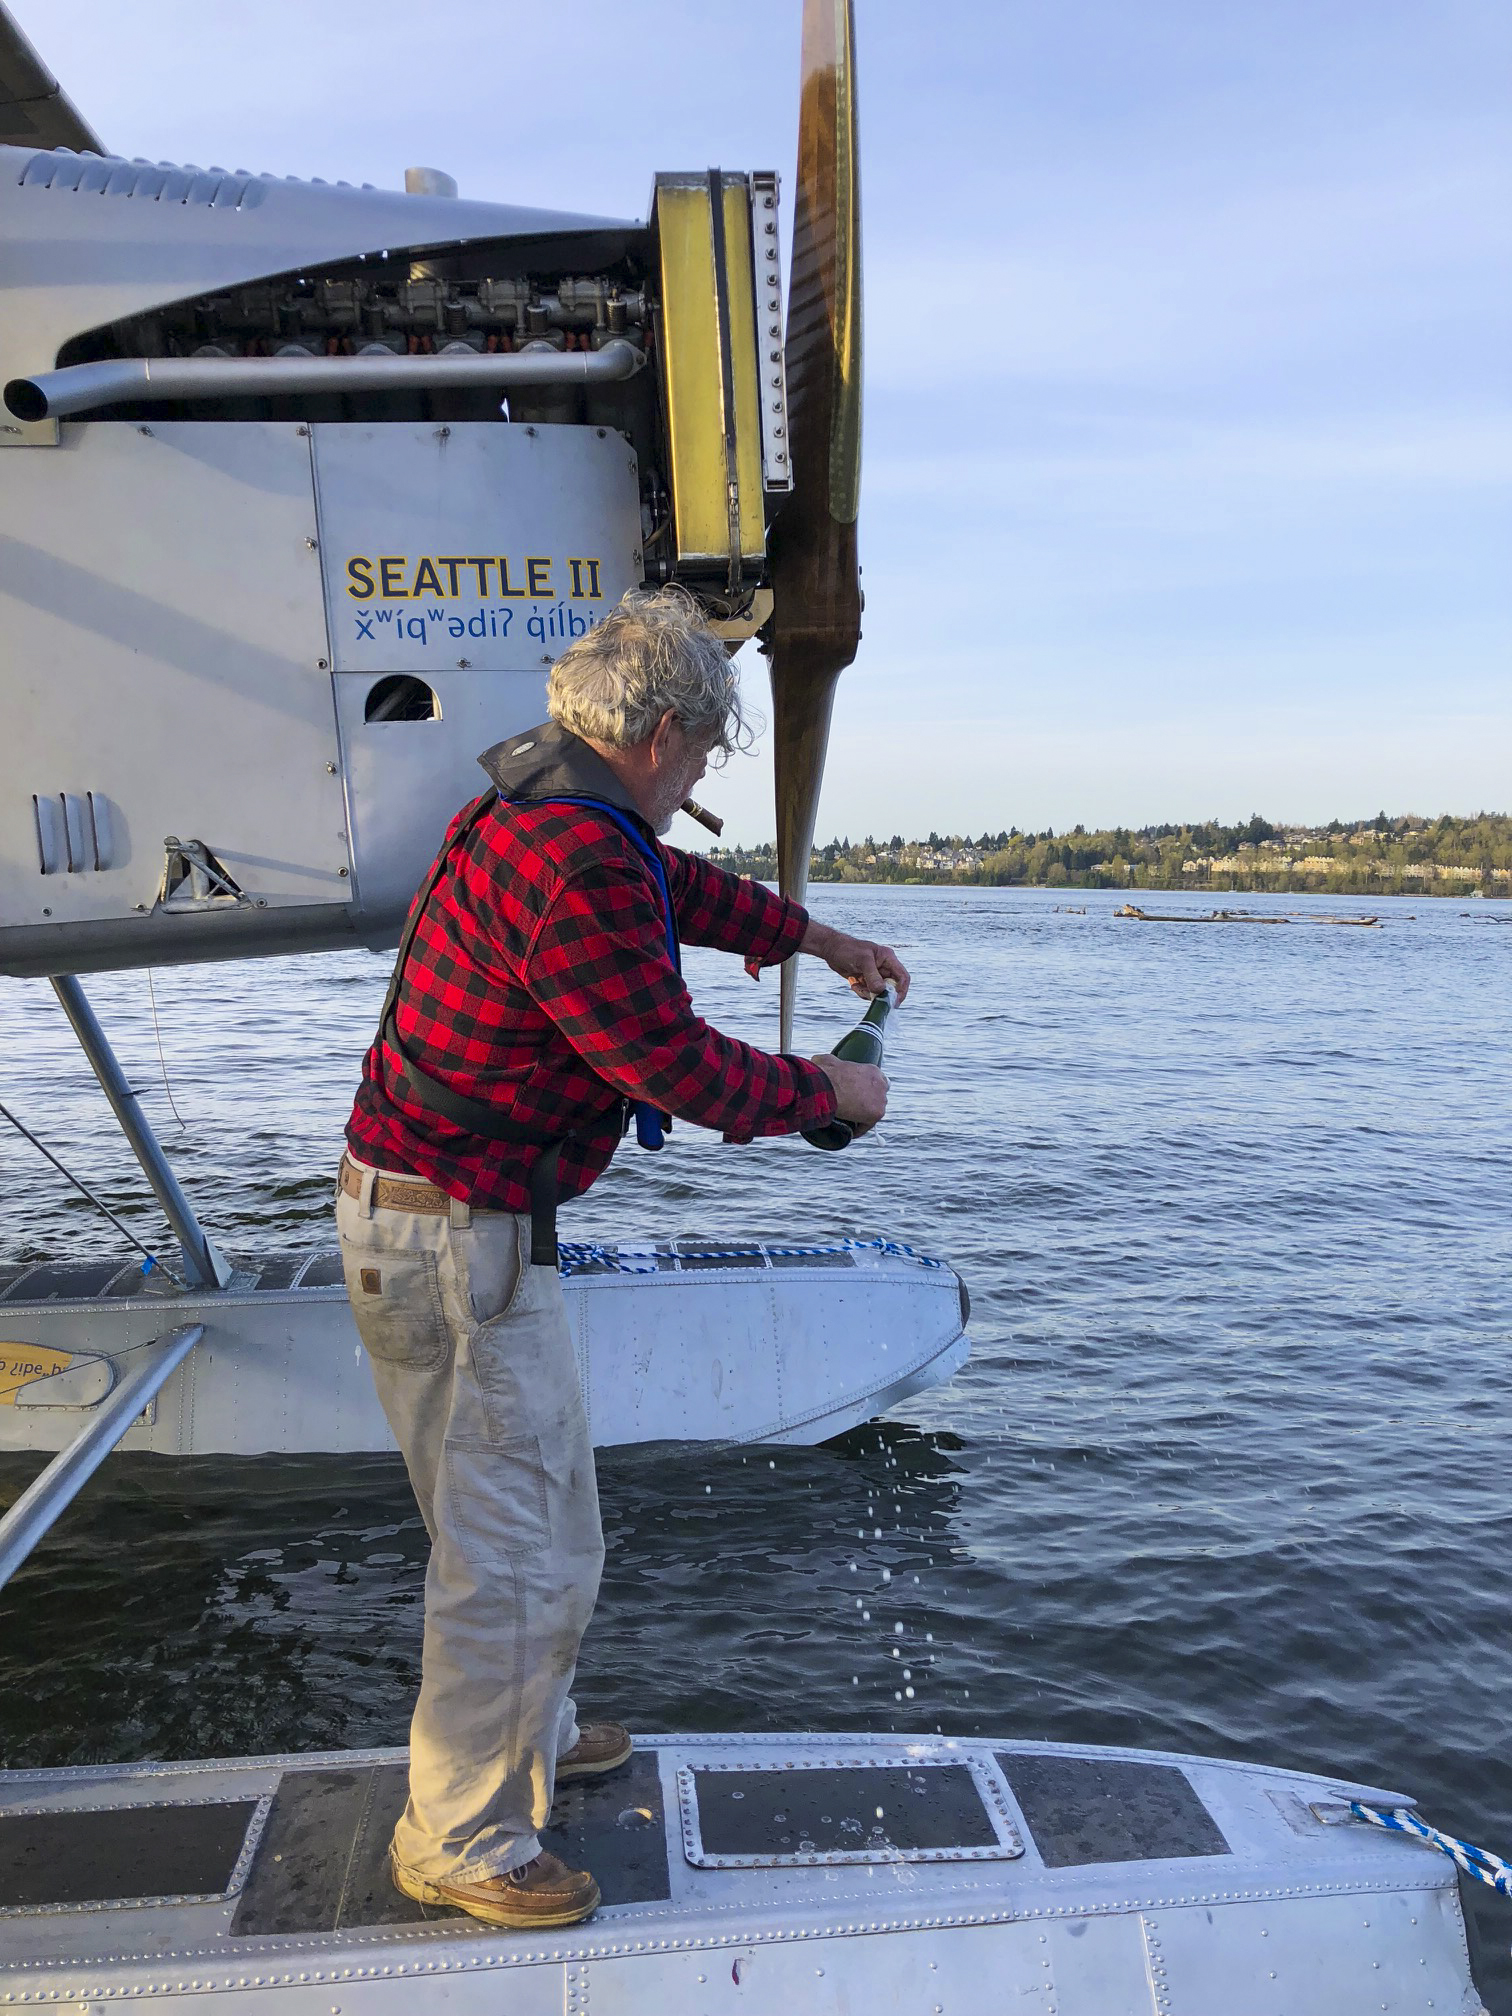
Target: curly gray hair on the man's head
<point>652,654</point>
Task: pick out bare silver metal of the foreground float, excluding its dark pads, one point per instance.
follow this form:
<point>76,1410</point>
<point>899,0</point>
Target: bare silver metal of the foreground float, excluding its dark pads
<point>1295,1920</point>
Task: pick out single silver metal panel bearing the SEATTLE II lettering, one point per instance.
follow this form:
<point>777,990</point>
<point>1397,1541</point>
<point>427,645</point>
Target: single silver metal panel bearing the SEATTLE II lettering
<point>485,513</point>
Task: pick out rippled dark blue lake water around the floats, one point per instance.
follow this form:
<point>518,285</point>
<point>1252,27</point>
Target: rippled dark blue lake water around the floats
<point>1229,1469</point>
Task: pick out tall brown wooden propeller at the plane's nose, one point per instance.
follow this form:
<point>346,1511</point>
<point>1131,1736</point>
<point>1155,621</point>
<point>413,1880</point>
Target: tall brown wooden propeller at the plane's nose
<point>815,578</point>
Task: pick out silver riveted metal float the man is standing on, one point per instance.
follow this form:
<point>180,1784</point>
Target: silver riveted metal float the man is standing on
<point>757,1876</point>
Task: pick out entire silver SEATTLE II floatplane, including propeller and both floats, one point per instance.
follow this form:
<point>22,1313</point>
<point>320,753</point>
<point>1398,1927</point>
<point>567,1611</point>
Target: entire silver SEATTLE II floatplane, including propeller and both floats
<point>322,477</point>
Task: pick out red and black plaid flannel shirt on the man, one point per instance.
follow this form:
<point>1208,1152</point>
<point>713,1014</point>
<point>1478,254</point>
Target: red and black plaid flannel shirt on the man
<point>539,981</point>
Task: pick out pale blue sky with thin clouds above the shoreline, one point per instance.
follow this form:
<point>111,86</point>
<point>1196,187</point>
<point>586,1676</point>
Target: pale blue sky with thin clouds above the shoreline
<point>1188,354</point>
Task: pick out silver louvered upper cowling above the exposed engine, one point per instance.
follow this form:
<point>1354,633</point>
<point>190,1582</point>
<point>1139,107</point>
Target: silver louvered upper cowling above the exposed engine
<point>92,241</point>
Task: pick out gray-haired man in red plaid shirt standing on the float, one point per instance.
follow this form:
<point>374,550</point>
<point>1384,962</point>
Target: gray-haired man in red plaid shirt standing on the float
<point>537,1005</point>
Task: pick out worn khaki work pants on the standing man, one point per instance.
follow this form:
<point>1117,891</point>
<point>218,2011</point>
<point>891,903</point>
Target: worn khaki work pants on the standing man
<point>477,1372</point>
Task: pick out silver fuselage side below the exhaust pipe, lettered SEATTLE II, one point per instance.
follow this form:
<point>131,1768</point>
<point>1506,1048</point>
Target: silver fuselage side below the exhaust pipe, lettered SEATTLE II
<point>174,600</point>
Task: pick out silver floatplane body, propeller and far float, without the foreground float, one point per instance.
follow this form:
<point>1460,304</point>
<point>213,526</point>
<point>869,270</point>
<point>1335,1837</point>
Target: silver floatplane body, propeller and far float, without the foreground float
<point>305,489</point>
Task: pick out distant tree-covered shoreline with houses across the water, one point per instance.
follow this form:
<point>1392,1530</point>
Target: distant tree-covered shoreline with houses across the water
<point>1406,856</point>
